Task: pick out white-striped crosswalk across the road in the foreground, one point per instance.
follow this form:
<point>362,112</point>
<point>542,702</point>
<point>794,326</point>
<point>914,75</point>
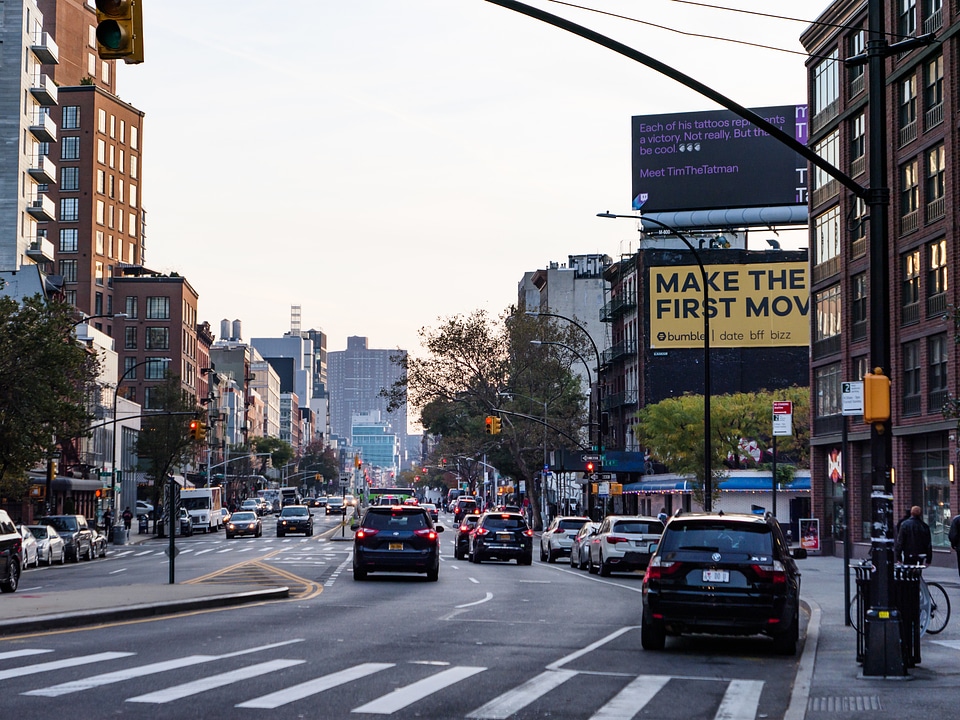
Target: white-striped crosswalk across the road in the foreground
<point>375,688</point>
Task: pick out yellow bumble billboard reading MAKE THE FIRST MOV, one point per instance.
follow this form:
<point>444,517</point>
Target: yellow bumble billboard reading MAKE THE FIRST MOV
<point>755,305</point>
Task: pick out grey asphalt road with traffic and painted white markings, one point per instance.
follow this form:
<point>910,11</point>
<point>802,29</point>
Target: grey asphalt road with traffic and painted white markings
<point>496,640</point>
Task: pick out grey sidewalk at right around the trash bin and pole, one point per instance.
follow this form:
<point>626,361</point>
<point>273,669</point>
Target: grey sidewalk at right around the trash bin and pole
<point>831,681</point>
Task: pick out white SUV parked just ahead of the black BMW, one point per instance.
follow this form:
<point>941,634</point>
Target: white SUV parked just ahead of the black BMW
<point>623,543</point>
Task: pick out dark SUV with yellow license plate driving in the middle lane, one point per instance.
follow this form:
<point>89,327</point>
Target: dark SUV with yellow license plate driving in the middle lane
<point>399,538</point>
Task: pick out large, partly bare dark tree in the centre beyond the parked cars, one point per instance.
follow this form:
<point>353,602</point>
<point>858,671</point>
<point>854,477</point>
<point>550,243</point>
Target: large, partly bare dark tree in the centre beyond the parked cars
<point>477,366</point>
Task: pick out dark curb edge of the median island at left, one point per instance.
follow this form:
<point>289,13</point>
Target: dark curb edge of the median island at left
<point>97,616</point>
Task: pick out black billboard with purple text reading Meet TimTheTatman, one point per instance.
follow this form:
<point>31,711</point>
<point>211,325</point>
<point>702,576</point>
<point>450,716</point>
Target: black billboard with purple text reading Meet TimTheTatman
<point>717,160</point>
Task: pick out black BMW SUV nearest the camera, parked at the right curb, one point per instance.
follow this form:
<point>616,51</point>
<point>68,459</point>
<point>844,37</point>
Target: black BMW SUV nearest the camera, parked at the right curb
<point>722,574</point>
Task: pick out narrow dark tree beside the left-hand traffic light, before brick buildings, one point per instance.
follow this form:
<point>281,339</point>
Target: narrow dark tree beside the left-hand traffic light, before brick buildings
<point>164,442</point>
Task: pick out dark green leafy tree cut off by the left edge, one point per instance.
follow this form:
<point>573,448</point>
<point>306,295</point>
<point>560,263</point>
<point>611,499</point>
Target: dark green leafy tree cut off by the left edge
<point>44,377</point>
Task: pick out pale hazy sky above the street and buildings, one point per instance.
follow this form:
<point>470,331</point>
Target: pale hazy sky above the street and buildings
<point>385,164</point>
